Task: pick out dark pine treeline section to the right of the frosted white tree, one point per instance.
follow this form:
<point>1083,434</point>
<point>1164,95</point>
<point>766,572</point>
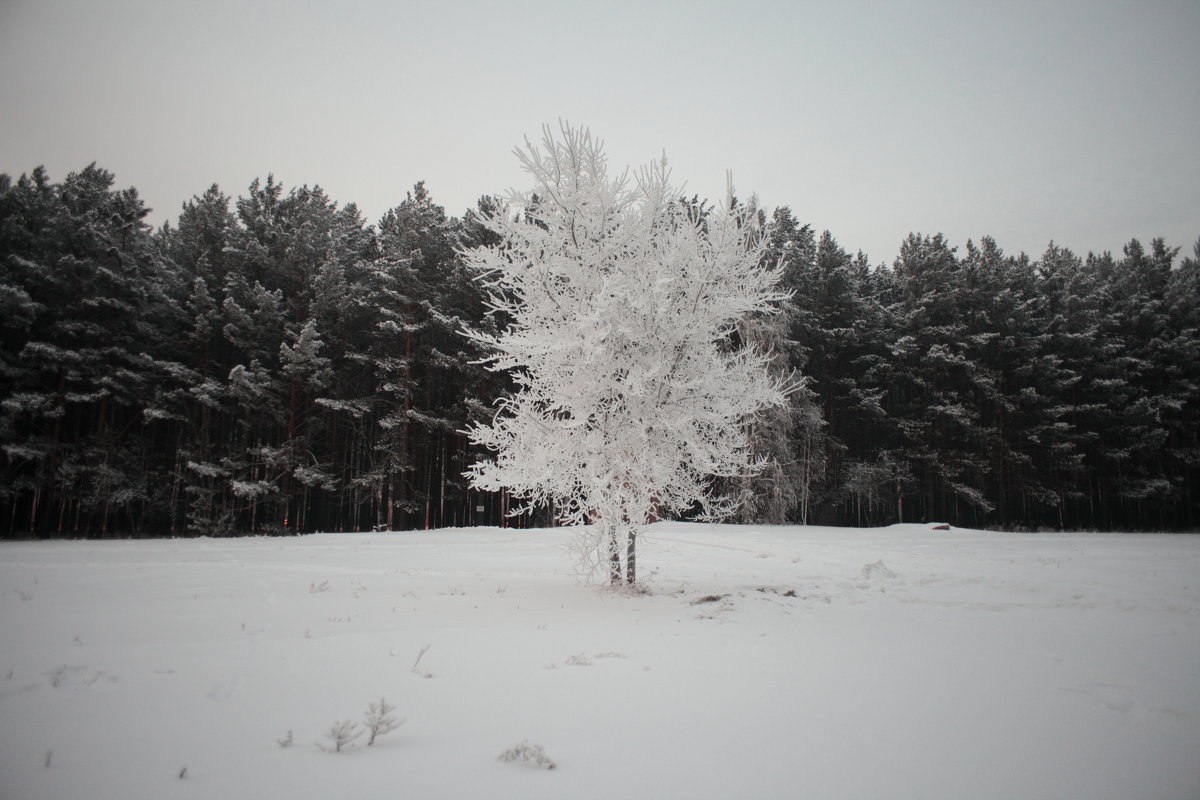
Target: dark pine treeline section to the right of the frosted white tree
<point>989,390</point>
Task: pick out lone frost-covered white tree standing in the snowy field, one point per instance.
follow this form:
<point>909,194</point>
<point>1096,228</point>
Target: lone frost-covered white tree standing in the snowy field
<point>620,308</point>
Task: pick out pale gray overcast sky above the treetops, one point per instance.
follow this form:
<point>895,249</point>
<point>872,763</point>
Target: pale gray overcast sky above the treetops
<point>1070,121</point>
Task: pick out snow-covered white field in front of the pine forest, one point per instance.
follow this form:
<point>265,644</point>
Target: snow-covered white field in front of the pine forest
<point>899,663</point>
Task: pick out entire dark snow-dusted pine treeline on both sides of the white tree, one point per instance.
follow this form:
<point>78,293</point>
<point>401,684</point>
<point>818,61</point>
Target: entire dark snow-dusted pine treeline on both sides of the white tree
<point>275,364</point>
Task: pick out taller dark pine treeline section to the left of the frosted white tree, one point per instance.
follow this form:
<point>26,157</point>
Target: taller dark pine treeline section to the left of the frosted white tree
<point>269,365</point>
